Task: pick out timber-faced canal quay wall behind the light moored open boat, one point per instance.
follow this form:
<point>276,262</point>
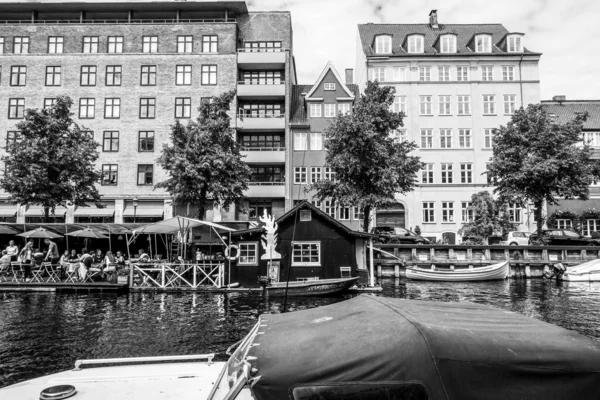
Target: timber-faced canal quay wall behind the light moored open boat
<point>525,261</point>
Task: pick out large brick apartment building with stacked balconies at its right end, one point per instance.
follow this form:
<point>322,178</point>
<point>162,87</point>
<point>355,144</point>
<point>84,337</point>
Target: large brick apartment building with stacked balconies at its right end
<point>132,69</point>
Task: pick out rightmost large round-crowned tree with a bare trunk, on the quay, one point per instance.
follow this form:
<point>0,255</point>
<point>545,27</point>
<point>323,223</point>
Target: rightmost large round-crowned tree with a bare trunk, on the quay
<point>538,160</point>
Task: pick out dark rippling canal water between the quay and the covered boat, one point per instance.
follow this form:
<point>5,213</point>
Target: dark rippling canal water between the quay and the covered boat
<point>42,333</point>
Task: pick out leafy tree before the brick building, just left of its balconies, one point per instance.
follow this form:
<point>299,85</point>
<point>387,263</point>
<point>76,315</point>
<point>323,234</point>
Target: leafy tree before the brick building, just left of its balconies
<point>203,161</point>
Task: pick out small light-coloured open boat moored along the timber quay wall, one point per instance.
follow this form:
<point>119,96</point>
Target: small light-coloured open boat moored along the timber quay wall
<point>489,273</point>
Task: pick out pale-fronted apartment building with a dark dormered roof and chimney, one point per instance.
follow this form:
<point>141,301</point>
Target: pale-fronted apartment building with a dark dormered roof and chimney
<point>455,83</point>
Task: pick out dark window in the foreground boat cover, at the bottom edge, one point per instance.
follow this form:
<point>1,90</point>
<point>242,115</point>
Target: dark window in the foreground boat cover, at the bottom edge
<point>366,391</point>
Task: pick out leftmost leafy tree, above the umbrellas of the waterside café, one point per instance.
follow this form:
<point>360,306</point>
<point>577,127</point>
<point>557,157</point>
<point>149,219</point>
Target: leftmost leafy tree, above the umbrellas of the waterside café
<point>52,162</point>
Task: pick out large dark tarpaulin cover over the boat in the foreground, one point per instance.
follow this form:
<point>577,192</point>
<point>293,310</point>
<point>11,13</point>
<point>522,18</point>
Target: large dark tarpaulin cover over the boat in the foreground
<point>456,350</point>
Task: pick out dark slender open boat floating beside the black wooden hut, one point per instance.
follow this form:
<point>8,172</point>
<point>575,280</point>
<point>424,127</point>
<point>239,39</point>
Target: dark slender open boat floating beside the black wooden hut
<point>311,288</point>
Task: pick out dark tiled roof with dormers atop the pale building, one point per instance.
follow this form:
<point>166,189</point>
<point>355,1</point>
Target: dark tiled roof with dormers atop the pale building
<point>464,35</point>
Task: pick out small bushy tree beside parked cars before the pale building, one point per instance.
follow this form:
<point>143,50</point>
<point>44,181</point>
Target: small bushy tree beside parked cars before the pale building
<point>489,217</point>
